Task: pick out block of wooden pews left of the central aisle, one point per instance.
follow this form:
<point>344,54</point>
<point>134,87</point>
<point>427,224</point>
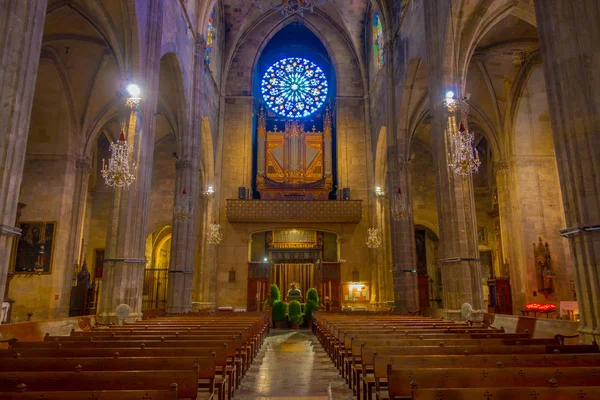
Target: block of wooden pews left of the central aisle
<point>196,356</point>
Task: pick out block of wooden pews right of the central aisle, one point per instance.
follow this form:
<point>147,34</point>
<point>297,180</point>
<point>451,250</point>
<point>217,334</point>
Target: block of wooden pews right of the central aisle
<point>402,357</point>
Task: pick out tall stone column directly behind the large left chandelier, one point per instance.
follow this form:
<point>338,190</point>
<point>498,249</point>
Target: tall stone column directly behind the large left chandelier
<point>125,260</point>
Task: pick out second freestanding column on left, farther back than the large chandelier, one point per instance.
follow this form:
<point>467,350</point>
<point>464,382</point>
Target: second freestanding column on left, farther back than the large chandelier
<point>184,240</point>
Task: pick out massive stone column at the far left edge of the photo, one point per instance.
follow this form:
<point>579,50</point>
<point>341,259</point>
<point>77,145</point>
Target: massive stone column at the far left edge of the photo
<point>21,31</point>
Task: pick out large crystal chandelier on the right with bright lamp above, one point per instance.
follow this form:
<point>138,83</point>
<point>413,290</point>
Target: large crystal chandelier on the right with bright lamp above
<point>463,156</point>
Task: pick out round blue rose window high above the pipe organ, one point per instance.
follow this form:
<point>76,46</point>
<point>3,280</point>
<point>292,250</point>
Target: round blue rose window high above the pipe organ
<point>294,87</point>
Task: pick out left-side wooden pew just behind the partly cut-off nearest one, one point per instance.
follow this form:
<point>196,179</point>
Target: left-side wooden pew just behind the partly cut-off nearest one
<point>187,381</point>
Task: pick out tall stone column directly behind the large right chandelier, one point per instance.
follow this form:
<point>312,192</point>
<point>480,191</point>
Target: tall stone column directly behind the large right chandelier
<point>461,269</point>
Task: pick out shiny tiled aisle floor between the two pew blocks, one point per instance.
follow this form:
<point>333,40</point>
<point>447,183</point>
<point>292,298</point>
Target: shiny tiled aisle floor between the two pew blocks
<point>292,365</point>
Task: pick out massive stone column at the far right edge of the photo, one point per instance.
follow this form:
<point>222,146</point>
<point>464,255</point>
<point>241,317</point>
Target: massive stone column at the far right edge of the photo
<point>568,32</point>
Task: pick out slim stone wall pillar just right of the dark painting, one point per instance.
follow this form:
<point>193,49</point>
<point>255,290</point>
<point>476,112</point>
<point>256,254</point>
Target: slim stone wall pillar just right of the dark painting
<point>82,179</point>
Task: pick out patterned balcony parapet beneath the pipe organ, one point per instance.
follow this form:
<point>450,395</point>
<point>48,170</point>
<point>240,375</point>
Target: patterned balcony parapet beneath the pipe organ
<point>315,211</point>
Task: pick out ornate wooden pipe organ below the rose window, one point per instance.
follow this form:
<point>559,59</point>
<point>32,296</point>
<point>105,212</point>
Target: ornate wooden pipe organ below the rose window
<point>294,164</point>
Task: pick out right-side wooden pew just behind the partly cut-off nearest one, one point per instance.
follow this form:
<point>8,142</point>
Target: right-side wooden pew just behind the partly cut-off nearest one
<point>402,380</point>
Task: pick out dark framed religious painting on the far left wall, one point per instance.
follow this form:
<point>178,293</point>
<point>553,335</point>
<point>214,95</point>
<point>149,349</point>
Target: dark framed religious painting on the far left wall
<point>34,248</point>
